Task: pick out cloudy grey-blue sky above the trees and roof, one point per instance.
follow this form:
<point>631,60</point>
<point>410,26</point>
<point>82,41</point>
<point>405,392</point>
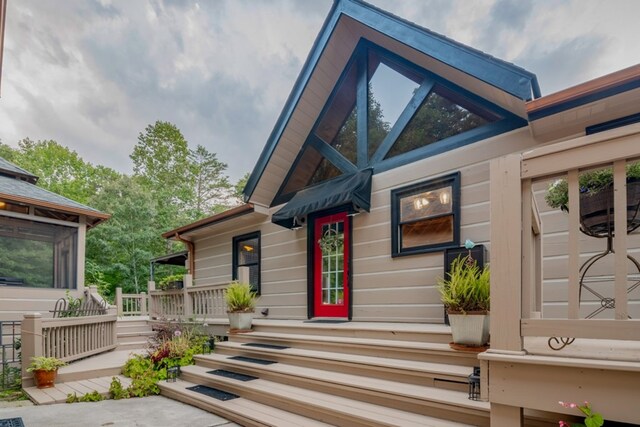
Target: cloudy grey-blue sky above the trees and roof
<point>92,74</point>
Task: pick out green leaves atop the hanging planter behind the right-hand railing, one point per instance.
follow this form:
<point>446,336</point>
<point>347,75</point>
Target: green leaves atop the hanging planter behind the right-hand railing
<point>590,182</point>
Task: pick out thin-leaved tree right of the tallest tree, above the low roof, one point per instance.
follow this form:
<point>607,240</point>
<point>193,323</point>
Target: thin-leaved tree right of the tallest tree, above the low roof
<point>211,188</point>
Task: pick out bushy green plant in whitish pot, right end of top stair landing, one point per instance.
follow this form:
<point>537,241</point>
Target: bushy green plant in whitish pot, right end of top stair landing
<point>465,294</point>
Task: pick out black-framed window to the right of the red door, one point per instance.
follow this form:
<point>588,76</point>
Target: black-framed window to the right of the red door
<point>426,216</point>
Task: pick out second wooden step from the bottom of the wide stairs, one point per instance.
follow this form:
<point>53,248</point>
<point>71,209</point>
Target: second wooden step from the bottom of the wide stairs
<point>337,410</point>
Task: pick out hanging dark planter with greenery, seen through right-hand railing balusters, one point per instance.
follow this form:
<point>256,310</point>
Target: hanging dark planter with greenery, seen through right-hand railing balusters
<point>596,199</point>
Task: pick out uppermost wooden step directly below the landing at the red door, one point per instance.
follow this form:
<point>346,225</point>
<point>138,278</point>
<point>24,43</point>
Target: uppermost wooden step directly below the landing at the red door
<point>405,350</point>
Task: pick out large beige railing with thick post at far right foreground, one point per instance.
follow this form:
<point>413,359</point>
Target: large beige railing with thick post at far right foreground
<point>517,244</point>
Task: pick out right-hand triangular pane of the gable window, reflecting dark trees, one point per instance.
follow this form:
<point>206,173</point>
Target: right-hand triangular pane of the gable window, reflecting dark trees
<point>443,114</point>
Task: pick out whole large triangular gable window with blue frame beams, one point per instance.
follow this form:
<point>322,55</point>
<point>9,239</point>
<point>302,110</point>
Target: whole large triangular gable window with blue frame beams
<point>385,112</point>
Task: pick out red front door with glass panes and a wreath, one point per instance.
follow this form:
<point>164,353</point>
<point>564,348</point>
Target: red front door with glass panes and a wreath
<point>331,261</point>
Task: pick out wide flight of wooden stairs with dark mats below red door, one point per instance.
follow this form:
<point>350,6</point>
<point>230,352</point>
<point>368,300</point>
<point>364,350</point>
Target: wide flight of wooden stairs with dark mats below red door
<point>344,374</point>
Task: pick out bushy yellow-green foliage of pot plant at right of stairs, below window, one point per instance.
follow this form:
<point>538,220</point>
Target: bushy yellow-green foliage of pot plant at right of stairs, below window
<point>466,288</point>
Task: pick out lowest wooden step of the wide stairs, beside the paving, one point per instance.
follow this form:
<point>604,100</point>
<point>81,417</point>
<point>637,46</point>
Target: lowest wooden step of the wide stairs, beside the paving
<point>242,411</point>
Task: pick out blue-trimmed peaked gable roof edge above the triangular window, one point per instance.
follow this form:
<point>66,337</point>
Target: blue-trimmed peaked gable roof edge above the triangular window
<point>355,19</point>
